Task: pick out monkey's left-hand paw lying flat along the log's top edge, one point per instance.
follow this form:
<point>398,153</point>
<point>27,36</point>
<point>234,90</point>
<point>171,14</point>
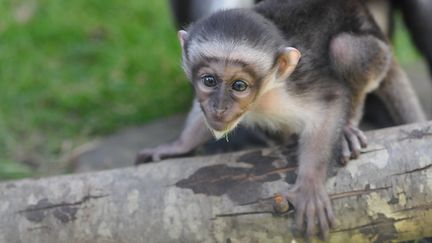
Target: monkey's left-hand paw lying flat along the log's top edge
<point>162,151</point>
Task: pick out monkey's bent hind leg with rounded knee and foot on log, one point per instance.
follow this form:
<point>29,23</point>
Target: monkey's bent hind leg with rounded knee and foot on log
<point>362,60</point>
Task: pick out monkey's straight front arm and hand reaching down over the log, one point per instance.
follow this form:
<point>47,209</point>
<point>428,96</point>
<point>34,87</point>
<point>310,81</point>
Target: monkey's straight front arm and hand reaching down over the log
<point>318,144</point>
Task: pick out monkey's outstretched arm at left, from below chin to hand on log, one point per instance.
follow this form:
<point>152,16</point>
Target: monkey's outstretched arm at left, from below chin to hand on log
<point>194,134</point>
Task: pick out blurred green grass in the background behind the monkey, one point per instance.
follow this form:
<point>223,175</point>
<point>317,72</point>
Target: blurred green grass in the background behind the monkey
<point>73,71</point>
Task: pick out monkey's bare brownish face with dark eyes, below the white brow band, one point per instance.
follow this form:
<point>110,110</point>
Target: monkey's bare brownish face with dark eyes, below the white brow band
<point>225,91</point>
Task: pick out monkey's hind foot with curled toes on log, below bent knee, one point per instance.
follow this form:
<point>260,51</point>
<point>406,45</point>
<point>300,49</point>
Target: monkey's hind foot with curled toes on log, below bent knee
<point>352,142</point>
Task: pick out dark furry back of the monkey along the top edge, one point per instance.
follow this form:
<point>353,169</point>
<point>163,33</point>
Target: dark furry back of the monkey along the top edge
<point>317,21</point>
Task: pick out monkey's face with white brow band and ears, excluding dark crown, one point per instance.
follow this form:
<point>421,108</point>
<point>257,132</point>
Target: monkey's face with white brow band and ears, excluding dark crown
<point>230,76</point>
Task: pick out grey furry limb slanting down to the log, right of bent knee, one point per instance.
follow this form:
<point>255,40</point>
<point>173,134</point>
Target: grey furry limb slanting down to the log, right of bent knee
<point>399,97</point>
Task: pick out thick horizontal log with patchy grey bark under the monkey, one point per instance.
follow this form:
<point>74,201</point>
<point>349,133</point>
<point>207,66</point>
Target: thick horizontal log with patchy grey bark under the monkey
<point>385,195</point>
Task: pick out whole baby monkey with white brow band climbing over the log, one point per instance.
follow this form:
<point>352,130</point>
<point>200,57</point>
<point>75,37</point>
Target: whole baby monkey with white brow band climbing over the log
<point>293,66</point>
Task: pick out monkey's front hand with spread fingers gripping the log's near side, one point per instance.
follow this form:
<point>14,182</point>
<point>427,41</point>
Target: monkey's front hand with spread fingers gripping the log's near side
<point>311,201</point>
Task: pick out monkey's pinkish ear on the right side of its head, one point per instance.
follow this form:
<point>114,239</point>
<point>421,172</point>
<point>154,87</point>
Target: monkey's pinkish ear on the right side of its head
<point>287,61</point>
